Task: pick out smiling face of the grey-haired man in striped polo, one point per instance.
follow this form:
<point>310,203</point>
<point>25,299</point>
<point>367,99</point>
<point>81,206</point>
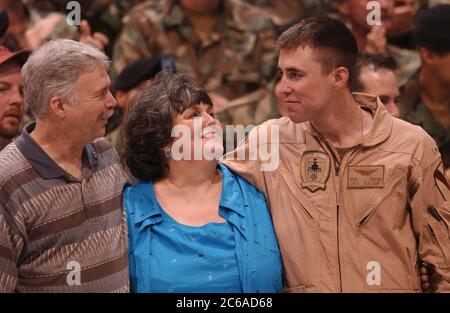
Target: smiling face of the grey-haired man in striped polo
<point>93,105</point>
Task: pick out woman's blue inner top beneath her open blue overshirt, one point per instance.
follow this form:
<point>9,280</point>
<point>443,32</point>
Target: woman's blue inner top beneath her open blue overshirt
<point>193,259</point>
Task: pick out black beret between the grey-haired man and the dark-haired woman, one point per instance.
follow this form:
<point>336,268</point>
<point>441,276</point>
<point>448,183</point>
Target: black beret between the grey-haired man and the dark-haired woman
<point>137,72</point>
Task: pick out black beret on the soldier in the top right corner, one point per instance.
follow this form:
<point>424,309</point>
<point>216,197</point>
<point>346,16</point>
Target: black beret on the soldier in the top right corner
<point>433,29</point>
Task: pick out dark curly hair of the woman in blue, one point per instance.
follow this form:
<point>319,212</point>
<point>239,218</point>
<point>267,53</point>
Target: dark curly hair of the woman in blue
<point>150,119</point>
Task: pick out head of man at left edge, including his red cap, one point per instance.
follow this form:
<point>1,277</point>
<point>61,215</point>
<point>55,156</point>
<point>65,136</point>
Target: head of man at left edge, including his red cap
<point>11,99</point>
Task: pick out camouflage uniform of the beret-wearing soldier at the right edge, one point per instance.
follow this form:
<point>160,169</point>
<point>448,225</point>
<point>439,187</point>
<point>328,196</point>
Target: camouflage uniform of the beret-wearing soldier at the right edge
<point>415,111</point>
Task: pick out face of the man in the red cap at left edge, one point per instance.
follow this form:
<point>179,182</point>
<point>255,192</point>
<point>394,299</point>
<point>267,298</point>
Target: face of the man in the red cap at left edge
<point>11,100</point>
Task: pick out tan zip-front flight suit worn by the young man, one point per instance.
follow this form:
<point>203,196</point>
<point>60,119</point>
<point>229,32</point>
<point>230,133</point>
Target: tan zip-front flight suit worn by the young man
<point>361,223</point>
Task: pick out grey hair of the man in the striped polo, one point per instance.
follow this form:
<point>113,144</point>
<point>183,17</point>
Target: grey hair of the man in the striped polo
<point>53,70</point>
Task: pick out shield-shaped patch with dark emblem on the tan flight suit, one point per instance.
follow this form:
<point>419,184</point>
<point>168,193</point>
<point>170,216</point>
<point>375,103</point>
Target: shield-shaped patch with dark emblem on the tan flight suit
<point>314,170</point>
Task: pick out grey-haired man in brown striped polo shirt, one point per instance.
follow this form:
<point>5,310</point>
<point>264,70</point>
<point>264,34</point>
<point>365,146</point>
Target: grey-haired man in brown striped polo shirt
<point>61,217</point>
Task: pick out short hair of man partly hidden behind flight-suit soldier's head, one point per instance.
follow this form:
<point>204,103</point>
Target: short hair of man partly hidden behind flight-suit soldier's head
<point>374,62</point>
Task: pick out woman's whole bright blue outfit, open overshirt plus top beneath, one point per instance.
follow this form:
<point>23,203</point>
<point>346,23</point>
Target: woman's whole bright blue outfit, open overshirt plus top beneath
<point>254,245</point>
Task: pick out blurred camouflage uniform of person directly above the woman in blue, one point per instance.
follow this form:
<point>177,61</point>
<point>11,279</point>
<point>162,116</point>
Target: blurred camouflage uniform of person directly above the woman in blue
<point>237,58</point>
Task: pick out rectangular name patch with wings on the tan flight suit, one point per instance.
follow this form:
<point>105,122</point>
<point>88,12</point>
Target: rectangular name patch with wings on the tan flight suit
<point>365,176</point>
